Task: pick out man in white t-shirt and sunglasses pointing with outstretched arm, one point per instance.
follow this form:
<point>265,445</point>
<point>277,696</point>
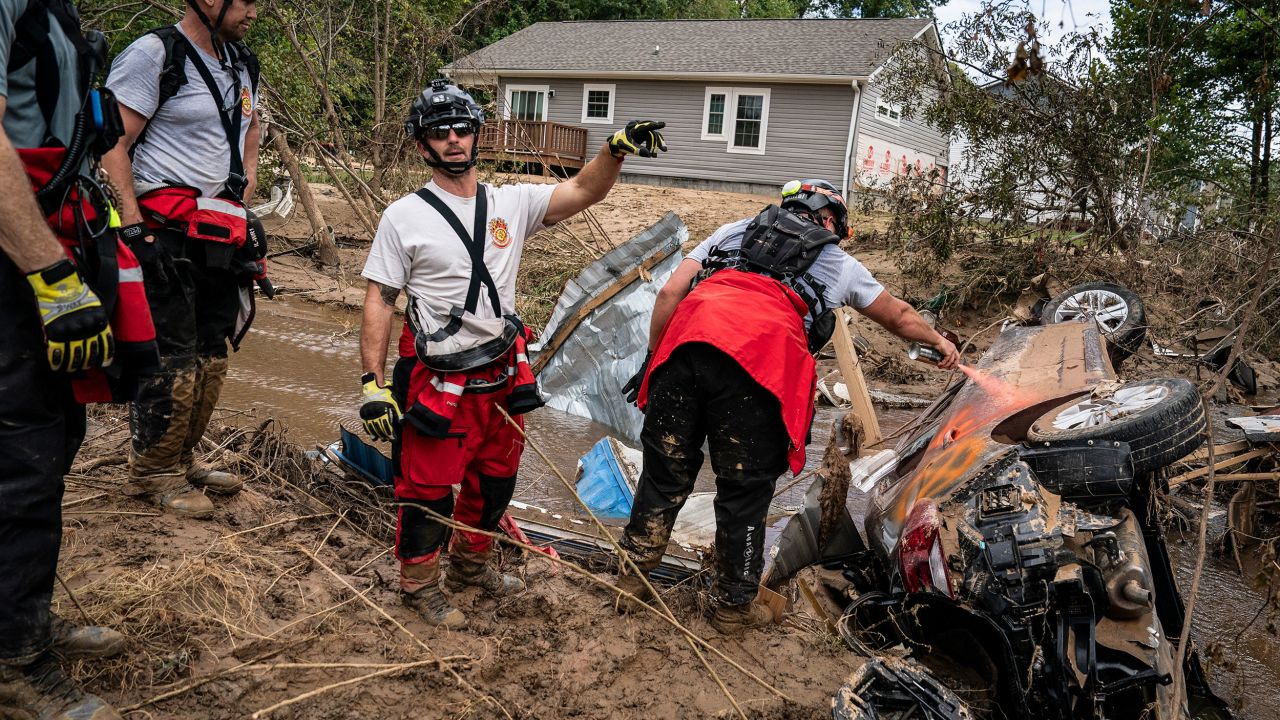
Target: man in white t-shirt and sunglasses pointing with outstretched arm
<point>463,349</point>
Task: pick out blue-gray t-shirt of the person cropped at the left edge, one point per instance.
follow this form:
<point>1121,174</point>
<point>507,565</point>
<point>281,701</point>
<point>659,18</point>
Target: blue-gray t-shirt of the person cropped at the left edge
<point>24,122</point>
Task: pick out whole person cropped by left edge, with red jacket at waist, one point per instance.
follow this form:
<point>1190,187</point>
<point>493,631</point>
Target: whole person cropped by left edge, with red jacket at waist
<point>56,335</point>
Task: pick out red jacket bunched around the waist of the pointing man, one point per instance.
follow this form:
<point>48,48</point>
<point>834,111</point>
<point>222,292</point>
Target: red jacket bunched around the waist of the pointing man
<point>435,397</point>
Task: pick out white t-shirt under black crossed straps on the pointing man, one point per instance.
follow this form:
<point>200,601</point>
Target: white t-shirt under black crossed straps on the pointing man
<point>417,249</point>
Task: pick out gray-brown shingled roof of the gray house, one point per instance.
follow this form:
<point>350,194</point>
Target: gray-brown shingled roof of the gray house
<point>783,47</point>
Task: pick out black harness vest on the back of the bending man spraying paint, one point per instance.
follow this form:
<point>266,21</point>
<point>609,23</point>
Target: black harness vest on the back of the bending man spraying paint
<point>781,245</point>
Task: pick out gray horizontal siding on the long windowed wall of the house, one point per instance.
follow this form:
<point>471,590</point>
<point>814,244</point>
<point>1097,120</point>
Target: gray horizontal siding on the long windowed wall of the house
<point>806,134</point>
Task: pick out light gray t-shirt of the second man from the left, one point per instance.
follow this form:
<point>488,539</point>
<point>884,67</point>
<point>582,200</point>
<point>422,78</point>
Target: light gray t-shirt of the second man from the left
<point>186,143</point>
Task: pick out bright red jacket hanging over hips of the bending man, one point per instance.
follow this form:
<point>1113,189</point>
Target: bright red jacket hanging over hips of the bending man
<point>760,323</point>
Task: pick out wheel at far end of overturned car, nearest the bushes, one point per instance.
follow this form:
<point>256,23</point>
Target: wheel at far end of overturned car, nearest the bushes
<point>1118,309</point>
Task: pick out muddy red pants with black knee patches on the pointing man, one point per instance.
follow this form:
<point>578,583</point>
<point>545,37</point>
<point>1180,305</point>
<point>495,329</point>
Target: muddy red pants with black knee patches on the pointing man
<point>483,457</point>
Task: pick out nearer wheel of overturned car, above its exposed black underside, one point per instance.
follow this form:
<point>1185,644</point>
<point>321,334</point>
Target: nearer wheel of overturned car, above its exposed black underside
<point>1162,420</point>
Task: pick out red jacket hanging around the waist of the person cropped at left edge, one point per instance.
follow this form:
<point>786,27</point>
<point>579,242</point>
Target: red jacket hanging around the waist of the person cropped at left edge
<point>118,284</point>
